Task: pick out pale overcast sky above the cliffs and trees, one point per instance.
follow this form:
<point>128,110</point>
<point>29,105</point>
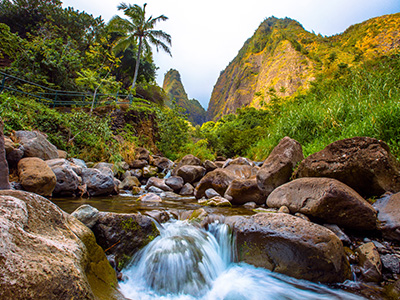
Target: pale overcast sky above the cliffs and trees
<point>207,34</point>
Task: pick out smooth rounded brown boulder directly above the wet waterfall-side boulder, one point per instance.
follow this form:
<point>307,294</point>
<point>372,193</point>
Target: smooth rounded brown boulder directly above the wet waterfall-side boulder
<point>325,199</point>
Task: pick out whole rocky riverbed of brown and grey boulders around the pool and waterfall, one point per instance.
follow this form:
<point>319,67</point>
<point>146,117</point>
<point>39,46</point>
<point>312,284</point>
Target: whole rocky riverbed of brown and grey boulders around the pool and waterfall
<point>332,217</point>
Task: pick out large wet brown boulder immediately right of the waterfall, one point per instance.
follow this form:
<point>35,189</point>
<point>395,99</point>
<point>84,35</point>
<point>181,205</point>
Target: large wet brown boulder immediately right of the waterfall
<point>291,246</point>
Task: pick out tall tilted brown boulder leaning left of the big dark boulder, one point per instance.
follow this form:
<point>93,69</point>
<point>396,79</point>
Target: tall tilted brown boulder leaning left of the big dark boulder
<point>278,167</point>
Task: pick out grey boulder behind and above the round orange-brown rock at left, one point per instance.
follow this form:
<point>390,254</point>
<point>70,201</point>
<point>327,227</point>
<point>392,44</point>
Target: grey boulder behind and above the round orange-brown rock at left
<point>36,145</point>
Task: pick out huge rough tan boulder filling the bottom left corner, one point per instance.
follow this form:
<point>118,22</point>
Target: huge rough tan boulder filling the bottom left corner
<point>47,254</point>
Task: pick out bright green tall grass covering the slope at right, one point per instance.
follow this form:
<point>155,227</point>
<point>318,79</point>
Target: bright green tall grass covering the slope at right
<point>363,102</point>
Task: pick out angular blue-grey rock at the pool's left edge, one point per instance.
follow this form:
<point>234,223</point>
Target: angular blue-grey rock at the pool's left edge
<point>98,182</point>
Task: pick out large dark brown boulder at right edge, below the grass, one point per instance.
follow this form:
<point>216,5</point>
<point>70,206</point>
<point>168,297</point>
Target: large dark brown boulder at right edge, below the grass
<point>363,163</point>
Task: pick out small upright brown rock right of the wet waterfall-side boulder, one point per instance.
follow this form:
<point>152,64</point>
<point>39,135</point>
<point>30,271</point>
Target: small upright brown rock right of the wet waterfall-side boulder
<point>370,262</point>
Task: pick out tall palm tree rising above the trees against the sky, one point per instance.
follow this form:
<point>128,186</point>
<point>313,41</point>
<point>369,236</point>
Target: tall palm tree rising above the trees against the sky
<point>139,31</point>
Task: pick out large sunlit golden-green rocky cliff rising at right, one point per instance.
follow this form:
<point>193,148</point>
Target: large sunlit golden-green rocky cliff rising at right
<point>282,58</point>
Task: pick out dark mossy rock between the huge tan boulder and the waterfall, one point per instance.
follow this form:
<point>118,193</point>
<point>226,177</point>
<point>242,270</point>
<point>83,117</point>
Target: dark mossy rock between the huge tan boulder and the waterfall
<point>123,235</point>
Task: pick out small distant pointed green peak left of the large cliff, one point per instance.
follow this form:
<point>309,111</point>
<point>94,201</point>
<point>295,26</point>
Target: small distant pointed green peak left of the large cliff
<point>176,93</point>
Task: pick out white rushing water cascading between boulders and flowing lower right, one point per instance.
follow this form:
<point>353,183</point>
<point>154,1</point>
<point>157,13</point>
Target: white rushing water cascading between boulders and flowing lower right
<point>188,263</point>
